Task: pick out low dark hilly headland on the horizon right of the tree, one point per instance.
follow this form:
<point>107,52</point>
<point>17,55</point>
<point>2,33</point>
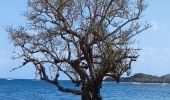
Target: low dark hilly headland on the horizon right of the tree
<point>144,78</point>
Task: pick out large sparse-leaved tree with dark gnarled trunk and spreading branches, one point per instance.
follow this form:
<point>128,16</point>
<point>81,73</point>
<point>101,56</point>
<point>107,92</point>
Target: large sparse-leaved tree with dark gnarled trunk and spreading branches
<point>84,39</point>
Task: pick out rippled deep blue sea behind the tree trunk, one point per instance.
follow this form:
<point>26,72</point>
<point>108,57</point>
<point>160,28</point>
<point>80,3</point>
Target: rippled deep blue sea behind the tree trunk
<point>32,89</point>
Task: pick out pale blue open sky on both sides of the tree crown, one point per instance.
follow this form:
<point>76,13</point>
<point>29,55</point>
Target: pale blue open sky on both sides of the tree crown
<point>155,43</point>
